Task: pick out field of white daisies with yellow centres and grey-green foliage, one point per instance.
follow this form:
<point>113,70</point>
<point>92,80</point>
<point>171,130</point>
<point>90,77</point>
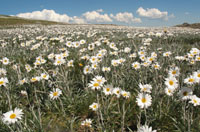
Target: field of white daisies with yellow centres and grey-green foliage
<point>99,78</point>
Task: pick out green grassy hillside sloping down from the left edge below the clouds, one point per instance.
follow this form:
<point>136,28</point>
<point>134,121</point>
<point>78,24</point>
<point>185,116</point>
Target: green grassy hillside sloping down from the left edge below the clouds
<point>12,20</point>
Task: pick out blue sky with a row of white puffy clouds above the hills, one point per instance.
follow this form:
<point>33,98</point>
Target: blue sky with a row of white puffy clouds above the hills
<point>122,12</point>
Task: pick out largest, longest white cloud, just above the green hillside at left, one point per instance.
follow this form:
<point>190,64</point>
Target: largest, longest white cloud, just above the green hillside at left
<point>45,14</point>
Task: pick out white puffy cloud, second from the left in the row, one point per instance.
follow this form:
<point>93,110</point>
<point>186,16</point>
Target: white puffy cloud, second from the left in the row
<point>95,16</point>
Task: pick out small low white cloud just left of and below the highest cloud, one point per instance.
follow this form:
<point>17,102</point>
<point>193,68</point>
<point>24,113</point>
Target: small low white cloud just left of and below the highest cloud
<point>126,17</point>
